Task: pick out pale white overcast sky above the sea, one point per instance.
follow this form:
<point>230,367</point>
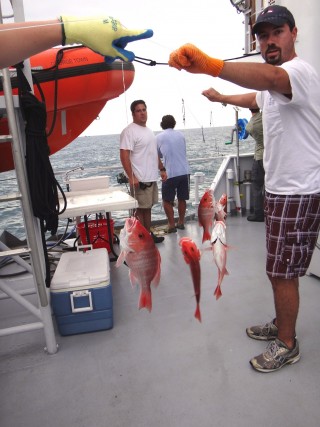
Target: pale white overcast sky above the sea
<point>212,25</point>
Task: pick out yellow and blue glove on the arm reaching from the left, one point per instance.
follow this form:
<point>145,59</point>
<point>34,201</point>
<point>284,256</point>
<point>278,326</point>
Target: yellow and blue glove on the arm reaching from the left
<point>102,34</point>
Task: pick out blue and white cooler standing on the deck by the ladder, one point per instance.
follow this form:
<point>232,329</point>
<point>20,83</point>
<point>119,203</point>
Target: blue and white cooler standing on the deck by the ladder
<point>81,292</point>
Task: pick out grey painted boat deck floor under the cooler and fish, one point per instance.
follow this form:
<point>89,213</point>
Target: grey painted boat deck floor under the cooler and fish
<point>164,368</point>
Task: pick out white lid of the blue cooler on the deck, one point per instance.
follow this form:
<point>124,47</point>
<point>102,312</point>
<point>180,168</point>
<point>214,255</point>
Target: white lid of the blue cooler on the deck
<point>81,269</point>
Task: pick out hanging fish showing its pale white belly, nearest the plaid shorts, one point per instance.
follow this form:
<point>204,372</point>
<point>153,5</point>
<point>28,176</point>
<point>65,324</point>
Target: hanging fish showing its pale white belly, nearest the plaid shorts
<point>219,248</point>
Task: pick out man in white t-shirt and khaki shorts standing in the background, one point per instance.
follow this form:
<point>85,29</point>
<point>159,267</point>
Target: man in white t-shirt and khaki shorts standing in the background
<point>139,158</point>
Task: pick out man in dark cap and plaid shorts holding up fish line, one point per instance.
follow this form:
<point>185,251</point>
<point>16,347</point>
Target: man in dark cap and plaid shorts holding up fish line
<point>289,97</point>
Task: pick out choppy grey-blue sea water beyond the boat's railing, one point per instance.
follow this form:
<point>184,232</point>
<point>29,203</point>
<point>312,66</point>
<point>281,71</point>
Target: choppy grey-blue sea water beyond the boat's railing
<point>99,155</point>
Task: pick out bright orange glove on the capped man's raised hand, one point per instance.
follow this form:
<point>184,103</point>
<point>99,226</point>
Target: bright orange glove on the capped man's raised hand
<point>188,57</point>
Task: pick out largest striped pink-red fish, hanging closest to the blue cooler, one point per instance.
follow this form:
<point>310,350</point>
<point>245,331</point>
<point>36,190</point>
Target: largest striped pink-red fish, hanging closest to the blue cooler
<point>141,255</point>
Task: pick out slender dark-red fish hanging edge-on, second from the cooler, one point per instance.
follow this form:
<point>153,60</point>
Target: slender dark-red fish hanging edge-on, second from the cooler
<point>192,256</point>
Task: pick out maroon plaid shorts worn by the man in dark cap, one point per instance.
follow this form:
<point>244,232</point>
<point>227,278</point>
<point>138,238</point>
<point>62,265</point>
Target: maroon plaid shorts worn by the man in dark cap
<point>292,228</point>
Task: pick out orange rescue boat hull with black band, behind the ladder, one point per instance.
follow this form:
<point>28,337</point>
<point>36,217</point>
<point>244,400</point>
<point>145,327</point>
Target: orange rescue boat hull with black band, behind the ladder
<point>75,83</point>
